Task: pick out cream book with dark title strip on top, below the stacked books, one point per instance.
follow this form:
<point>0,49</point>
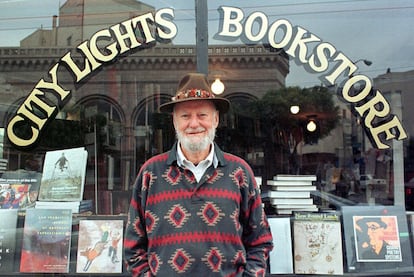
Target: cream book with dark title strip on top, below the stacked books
<point>317,243</point>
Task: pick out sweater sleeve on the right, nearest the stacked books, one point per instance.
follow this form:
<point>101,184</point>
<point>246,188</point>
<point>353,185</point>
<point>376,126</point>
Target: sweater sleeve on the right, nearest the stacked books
<point>257,236</point>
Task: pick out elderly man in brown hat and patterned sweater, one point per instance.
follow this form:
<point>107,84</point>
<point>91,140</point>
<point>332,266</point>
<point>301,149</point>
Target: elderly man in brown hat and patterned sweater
<point>195,210</point>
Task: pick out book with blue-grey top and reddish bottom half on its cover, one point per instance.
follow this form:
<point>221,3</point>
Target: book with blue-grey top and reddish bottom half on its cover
<point>46,241</point>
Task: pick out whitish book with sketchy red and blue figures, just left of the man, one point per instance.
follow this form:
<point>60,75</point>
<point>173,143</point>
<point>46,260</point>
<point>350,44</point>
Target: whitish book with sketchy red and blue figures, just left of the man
<point>100,246</point>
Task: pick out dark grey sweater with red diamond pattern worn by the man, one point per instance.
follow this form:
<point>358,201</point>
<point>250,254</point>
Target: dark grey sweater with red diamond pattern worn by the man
<point>216,227</point>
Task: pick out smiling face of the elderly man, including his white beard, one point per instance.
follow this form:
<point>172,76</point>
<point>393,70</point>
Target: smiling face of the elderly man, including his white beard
<point>195,123</point>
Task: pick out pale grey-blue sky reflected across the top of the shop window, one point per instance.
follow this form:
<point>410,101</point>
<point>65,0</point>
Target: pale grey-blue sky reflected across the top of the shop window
<point>376,30</point>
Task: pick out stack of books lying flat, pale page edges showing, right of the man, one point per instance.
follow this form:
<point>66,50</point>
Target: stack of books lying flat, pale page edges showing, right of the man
<point>289,193</point>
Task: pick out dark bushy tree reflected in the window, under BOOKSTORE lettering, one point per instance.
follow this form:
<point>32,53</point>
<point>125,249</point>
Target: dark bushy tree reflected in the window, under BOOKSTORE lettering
<point>282,131</point>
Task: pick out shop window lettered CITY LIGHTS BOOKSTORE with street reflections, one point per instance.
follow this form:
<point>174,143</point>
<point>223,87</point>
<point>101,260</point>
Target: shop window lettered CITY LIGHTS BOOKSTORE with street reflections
<point>319,89</point>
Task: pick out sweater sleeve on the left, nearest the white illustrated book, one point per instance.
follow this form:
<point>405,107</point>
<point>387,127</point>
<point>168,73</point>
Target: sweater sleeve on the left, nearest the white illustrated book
<point>135,241</point>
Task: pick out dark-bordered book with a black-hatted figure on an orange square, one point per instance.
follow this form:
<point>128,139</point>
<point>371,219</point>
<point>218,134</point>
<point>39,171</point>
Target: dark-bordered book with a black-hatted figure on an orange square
<point>377,239</point>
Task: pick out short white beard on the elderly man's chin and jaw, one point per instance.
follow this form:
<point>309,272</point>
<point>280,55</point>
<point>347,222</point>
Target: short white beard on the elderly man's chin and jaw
<point>195,144</point>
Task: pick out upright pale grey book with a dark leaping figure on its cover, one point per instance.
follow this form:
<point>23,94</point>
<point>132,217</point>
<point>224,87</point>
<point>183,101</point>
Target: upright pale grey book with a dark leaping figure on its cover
<point>63,176</point>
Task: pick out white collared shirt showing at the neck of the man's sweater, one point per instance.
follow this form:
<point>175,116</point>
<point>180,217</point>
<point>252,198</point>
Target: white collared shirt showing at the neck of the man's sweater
<point>200,169</point>
